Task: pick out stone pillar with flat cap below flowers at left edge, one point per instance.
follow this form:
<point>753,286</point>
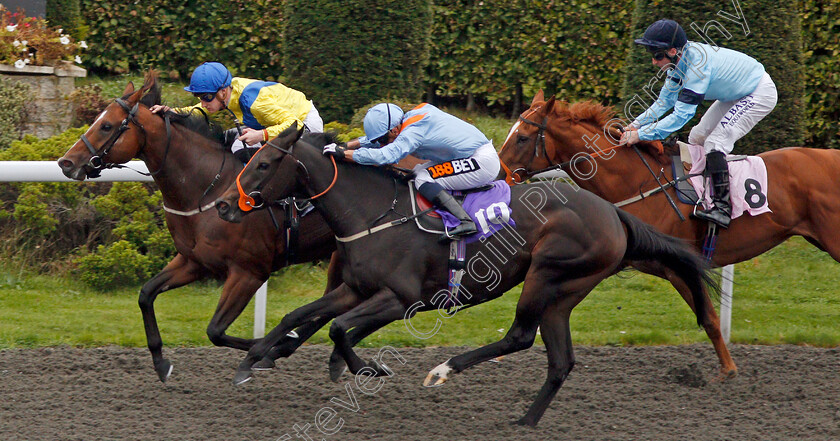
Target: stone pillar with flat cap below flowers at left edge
<point>51,112</point>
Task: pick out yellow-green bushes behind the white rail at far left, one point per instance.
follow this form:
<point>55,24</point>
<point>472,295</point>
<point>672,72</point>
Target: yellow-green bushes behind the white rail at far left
<point>92,227</point>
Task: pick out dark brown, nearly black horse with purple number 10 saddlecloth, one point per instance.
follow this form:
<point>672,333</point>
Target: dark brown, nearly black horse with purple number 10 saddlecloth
<point>564,243</point>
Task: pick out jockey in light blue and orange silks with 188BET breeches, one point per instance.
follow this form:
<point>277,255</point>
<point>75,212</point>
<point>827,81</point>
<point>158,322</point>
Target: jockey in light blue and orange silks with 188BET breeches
<point>460,156</point>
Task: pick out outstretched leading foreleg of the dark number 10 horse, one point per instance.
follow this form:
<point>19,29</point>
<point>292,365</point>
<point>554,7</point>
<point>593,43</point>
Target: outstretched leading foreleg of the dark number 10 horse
<point>334,303</point>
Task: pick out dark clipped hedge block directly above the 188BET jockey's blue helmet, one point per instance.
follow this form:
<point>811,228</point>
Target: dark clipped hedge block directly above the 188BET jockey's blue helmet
<point>346,53</point>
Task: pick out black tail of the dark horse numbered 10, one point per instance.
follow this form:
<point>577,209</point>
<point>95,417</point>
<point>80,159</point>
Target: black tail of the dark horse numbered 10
<point>646,243</point>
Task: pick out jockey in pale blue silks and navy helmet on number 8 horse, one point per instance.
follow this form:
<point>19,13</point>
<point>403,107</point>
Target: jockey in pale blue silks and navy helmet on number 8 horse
<point>743,92</point>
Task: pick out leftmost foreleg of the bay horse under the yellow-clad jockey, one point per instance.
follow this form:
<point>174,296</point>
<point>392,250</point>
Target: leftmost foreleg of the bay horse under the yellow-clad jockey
<point>178,272</point>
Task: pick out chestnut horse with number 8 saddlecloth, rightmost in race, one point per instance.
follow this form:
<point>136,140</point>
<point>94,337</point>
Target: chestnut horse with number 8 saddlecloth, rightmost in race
<point>802,193</point>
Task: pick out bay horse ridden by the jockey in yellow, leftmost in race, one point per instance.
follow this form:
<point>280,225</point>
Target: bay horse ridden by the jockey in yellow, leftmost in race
<point>190,166</point>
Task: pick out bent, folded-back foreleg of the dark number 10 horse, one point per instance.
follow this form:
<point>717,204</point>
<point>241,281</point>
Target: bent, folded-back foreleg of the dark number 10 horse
<point>372,314</point>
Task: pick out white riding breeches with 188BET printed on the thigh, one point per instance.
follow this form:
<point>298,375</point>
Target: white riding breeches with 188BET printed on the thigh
<point>481,168</point>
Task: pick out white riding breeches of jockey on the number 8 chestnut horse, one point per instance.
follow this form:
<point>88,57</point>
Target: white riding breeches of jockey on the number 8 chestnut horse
<point>726,122</point>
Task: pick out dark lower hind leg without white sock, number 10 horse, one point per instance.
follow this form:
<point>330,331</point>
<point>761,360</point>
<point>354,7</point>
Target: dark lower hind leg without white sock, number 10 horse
<point>554,330</point>
